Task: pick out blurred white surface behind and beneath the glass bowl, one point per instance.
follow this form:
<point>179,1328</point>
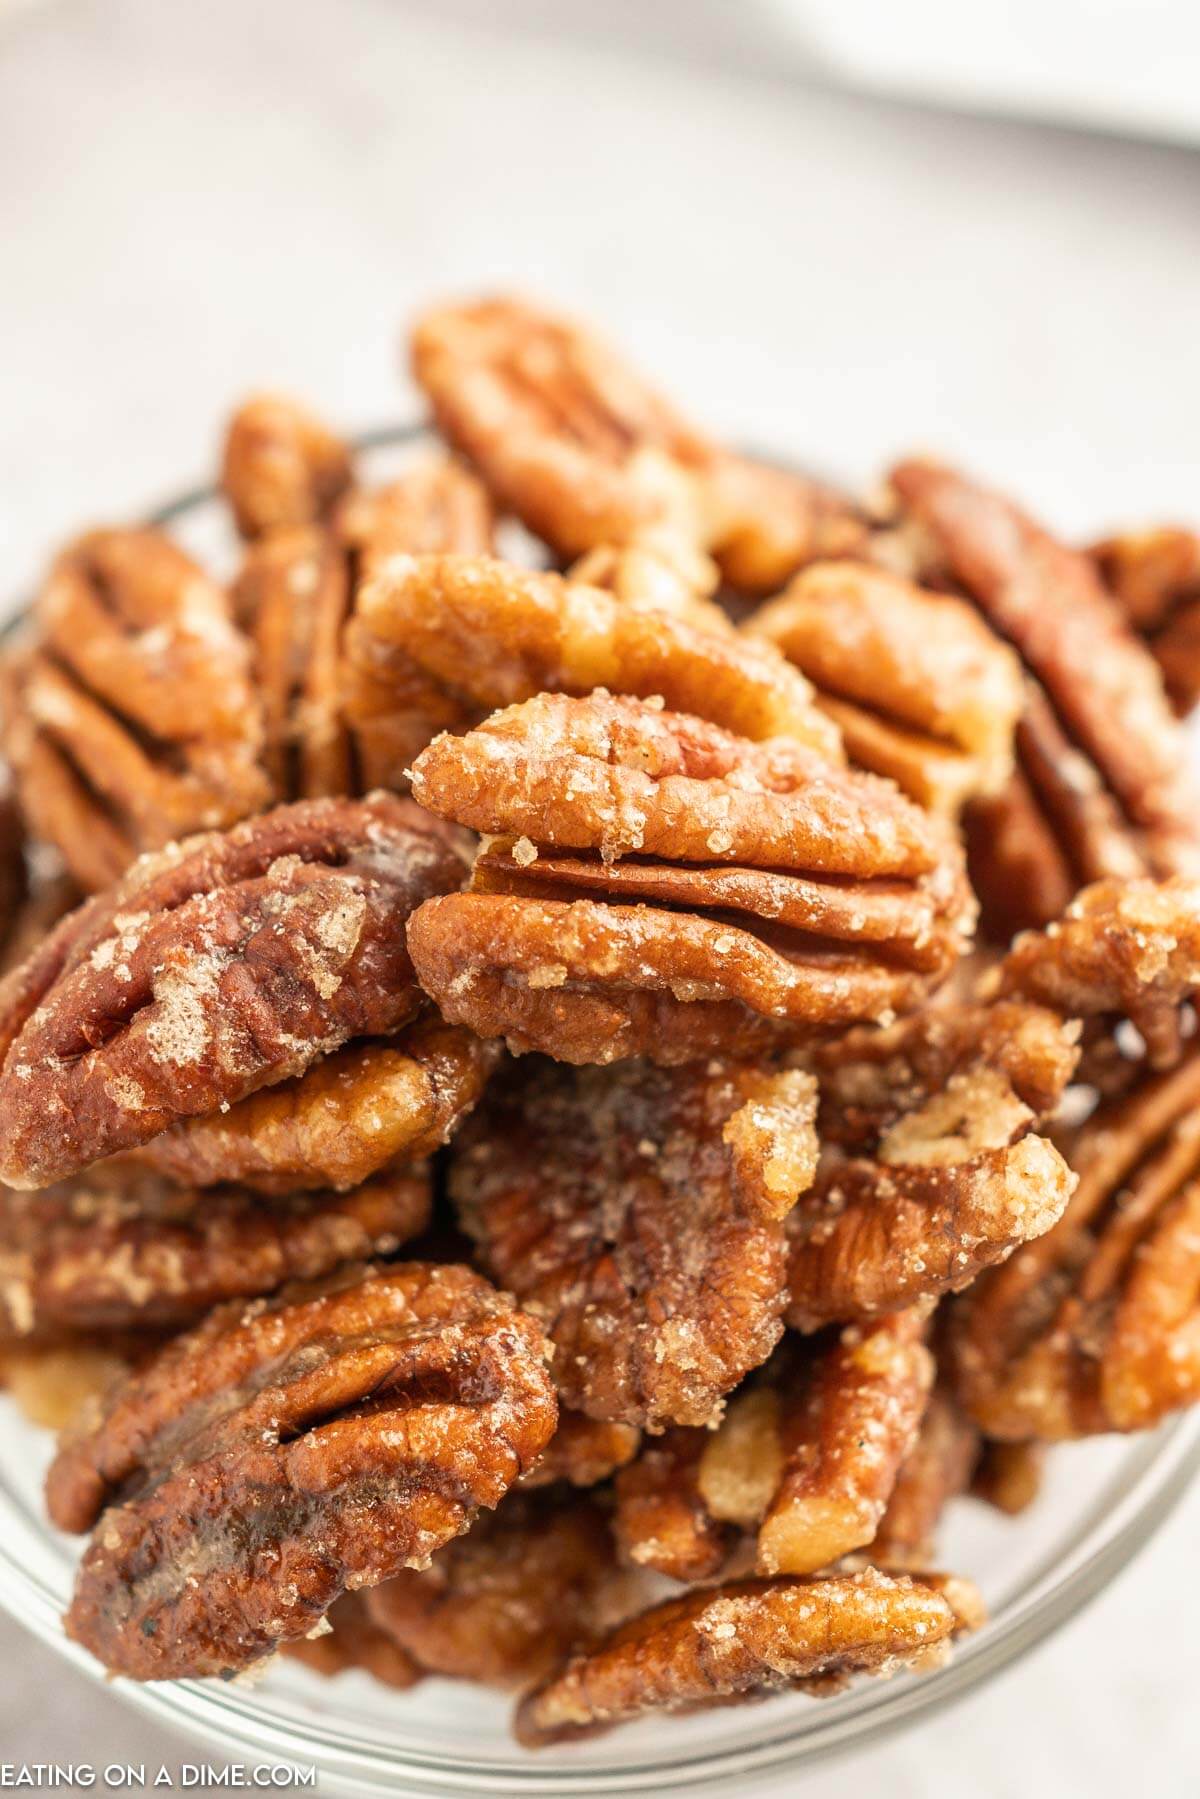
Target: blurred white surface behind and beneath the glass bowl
<point>195,201</point>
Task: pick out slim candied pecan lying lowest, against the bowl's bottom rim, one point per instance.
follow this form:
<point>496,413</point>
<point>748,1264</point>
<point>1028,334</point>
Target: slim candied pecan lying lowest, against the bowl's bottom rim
<point>748,1638</point>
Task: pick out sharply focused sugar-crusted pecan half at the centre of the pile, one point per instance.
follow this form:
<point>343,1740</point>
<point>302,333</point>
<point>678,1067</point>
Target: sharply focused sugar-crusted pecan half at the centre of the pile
<point>661,879</point>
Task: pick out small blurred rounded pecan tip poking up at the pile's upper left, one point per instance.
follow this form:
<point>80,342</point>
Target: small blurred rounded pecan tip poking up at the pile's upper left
<point>282,467</point>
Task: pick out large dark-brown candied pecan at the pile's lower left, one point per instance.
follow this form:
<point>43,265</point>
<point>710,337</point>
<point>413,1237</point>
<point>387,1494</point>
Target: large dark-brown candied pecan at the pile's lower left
<point>287,1453</point>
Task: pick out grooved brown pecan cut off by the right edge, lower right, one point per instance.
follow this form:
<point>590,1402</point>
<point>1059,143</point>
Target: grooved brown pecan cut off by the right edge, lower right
<point>1098,1325</point>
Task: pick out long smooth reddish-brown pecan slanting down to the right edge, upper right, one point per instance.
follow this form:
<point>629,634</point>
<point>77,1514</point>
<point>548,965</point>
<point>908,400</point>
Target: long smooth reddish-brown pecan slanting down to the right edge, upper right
<point>1098,746</point>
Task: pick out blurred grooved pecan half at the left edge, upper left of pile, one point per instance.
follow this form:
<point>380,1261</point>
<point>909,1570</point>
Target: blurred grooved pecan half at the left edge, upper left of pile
<point>130,717</point>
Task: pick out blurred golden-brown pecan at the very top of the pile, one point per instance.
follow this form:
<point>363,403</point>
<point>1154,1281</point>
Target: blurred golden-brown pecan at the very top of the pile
<point>575,442</point>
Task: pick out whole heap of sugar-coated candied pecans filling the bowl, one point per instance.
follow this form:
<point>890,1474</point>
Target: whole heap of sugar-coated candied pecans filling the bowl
<point>555,1118</point>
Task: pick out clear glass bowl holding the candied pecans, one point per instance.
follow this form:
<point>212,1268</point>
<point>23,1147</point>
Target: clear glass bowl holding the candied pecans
<point>1102,1503</point>
